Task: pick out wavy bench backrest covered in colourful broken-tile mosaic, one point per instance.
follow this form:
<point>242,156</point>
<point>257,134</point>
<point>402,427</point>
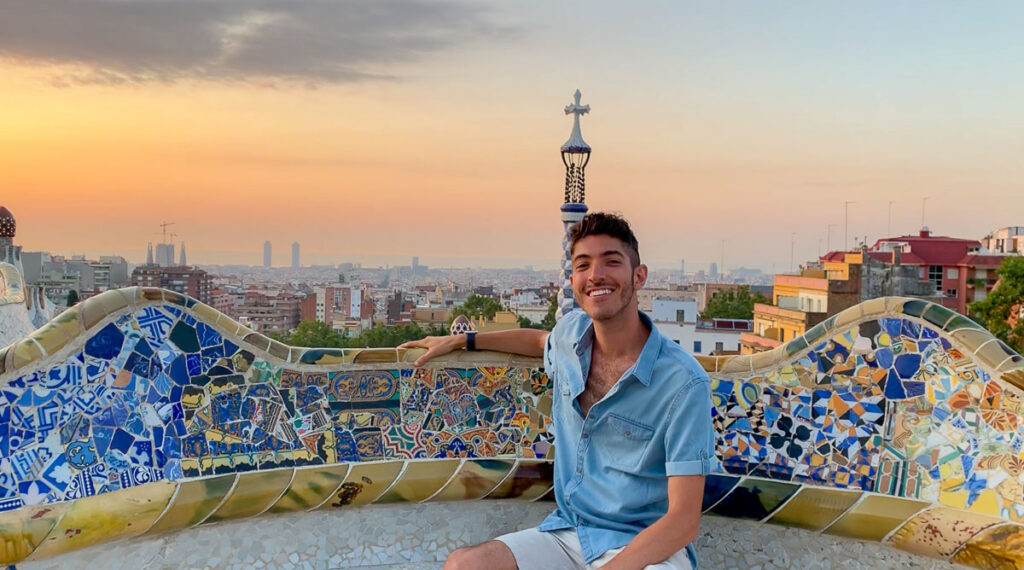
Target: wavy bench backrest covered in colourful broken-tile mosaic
<point>142,413</point>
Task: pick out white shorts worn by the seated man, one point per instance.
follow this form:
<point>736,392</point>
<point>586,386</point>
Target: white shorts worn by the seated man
<point>561,549</point>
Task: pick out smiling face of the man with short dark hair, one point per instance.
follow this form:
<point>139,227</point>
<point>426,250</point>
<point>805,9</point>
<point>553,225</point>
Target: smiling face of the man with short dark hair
<point>605,281</point>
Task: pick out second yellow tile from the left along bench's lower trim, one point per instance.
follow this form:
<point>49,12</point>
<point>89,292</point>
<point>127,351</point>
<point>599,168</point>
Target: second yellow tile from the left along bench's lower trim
<point>99,519</point>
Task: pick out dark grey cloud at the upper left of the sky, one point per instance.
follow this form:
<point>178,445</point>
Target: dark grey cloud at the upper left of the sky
<point>118,42</point>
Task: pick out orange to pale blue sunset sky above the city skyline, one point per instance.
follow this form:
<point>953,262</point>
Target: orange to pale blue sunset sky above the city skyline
<point>375,131</point>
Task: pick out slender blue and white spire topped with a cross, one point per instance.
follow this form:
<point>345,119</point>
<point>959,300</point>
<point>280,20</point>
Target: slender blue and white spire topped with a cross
<point>576,155</point>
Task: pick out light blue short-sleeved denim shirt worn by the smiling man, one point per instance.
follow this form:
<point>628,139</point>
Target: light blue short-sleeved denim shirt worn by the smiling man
<point>612,467</point>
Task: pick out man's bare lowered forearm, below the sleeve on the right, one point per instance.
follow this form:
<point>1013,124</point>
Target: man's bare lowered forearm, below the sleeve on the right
<point>656,544</point>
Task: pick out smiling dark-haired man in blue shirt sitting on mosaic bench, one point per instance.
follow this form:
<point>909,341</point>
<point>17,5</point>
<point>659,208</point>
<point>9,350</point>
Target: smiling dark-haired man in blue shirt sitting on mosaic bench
<point>632,421</point>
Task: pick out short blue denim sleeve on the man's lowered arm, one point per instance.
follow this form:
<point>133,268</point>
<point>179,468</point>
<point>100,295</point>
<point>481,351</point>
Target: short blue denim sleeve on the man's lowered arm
<point>690,442</point>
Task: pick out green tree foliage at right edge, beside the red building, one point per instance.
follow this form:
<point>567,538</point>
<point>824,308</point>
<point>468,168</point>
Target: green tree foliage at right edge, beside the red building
<point>995,312</point>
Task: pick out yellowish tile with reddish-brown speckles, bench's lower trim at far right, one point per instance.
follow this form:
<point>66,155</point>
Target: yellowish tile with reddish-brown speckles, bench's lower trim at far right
<point>941,532</point>
